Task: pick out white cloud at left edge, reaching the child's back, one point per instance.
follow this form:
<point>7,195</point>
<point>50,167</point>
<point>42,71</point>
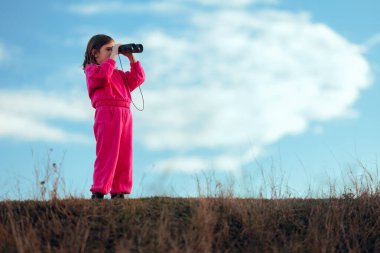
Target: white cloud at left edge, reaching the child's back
<point>27,115</point>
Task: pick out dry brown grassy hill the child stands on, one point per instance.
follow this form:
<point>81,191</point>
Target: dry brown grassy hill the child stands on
<point>219,224</point>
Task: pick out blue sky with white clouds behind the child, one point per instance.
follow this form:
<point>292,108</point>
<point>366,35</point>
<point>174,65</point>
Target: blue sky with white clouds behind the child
<point>246,93</point>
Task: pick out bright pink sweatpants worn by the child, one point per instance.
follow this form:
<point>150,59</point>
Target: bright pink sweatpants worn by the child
<point>113,164</point>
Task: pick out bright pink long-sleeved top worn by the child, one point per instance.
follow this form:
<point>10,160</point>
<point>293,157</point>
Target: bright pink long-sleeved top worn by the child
<point>110,86</point>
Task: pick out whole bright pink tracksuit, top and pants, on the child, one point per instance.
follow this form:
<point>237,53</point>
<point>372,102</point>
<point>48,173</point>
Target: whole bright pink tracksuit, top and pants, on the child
<point>110,93</point>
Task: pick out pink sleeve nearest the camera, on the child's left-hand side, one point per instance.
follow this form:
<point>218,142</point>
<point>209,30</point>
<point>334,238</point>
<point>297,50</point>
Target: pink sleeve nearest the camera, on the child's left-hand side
<point>99,75</point>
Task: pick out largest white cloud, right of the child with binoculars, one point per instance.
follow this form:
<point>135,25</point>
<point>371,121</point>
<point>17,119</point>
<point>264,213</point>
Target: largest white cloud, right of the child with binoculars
<point>245,80</point>
